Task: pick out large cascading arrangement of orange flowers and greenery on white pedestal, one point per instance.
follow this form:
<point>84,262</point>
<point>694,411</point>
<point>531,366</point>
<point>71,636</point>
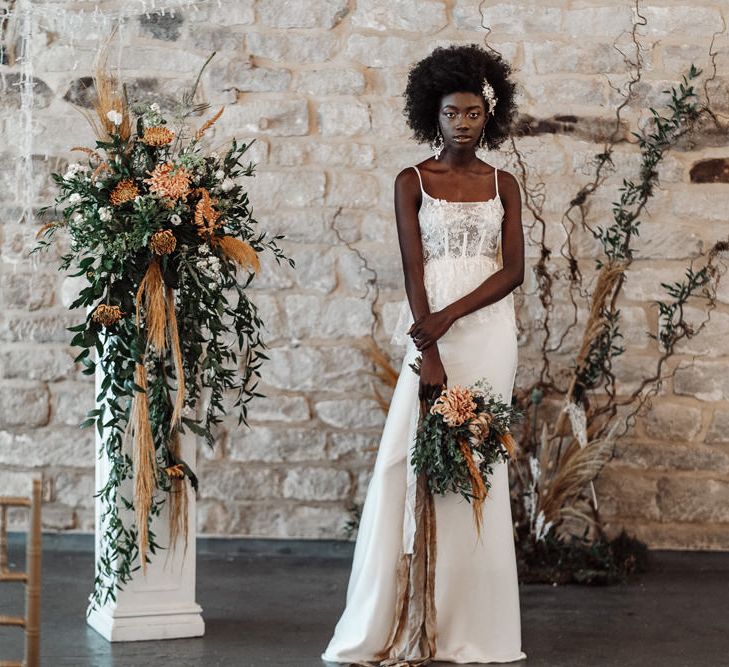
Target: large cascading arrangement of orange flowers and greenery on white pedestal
<point>163,237</point>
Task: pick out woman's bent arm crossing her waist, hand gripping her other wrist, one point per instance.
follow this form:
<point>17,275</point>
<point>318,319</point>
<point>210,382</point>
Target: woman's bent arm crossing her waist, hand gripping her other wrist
<point>430,327</point>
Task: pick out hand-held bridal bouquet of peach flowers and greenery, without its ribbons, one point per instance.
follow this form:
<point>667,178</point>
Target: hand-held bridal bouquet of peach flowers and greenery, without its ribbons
<point>460,437</point>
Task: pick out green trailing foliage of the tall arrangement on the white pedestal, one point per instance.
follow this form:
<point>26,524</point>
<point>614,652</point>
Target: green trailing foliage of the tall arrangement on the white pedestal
<point>219,325</point>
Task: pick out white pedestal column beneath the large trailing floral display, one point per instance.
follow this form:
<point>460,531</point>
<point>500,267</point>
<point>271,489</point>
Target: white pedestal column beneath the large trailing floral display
<point>161,603</point>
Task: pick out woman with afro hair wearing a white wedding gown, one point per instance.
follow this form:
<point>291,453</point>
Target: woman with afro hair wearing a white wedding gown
<point>462,246</point>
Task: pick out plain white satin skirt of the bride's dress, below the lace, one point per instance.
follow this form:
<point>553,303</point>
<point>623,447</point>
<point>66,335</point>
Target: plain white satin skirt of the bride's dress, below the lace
<point>476,587</point>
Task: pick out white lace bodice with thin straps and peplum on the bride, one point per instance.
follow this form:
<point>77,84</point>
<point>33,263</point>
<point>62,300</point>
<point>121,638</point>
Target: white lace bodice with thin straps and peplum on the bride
<point>461,243</point>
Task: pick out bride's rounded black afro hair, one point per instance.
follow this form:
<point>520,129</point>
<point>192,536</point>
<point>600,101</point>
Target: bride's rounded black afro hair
<point>456,69</point>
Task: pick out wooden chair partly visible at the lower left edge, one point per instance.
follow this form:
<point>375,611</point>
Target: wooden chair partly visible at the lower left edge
<point>32,578</point>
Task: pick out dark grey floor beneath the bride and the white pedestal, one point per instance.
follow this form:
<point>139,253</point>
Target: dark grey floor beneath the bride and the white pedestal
<point>280,610</point>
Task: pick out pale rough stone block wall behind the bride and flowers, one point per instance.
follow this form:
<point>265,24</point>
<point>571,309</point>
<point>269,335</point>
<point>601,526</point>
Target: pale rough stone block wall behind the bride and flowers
<point>317,84</point>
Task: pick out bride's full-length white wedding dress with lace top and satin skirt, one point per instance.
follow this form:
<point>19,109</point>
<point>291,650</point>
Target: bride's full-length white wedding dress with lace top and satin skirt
<point>476,587</point>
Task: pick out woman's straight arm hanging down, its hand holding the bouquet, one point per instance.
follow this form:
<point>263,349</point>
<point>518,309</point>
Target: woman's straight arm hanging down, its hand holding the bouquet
<point>407,203</point>
